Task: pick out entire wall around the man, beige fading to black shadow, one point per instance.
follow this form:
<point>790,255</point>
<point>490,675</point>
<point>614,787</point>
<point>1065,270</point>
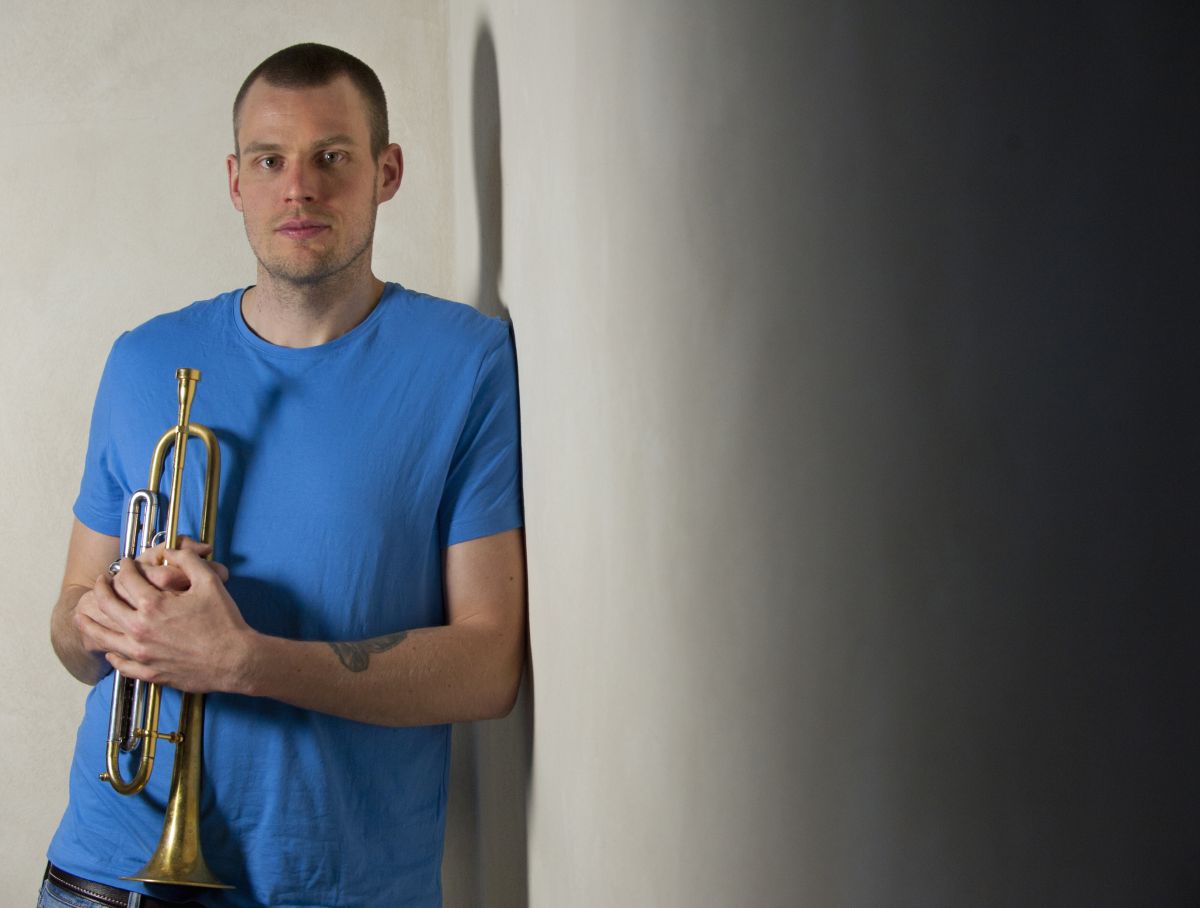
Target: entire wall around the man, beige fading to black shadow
<point>856,447</point>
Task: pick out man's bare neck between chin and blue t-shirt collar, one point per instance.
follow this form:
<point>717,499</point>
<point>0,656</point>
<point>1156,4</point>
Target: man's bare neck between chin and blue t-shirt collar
<point>291,315</point>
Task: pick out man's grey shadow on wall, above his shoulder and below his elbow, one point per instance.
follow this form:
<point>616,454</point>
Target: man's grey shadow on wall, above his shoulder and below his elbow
<point>487,859</point>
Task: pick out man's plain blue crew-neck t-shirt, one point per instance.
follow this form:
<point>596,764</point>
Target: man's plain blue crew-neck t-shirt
<point>346,471</point>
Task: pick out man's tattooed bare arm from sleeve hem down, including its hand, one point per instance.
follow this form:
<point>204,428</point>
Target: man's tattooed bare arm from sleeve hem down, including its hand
<point>196,640</point>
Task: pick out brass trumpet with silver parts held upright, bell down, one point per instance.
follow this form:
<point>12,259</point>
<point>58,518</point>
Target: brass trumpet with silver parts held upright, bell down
<point>134,720</point>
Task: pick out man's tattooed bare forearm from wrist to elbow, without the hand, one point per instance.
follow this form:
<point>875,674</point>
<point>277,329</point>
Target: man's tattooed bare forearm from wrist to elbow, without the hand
<point>423,677</point>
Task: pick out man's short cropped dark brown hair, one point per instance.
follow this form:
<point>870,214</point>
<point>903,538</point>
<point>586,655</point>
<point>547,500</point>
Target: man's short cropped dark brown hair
<point>307,67</point>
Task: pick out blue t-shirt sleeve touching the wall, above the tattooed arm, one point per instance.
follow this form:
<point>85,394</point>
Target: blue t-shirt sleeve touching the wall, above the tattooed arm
<point>483,491</point>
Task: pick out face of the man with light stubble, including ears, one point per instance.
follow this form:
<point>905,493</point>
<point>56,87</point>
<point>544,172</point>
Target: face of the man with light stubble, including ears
<point>307,182</point>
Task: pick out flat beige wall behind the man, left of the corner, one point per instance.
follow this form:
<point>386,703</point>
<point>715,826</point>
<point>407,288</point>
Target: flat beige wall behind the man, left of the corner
<point>116,122</point>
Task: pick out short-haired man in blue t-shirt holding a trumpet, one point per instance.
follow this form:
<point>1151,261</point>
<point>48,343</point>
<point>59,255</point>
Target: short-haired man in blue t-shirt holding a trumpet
<point>369,582</point>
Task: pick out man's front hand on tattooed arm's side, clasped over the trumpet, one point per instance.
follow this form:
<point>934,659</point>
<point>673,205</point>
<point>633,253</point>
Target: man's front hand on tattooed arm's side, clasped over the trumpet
<point>167,618</point>
